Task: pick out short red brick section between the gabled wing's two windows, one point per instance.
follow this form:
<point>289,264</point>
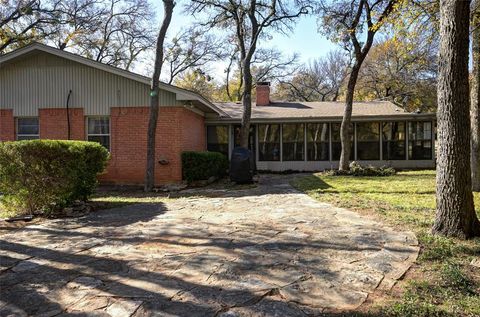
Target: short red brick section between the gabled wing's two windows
<point>53,124</point>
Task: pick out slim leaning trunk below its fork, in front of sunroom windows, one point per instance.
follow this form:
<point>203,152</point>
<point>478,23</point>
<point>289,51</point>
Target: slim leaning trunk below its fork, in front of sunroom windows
<point>345,131</point>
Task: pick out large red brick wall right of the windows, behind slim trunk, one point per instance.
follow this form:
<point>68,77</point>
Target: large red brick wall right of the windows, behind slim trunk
<point>178,130</point>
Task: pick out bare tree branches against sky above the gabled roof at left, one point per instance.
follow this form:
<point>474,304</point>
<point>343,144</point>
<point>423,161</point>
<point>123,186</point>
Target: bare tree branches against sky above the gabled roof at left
<point>114,32</point>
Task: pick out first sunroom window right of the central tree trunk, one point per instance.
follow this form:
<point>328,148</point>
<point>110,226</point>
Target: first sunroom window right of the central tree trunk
<point>269,142</point>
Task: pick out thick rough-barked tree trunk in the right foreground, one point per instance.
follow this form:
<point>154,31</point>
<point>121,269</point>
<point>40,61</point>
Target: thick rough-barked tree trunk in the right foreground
<point>455,214</point>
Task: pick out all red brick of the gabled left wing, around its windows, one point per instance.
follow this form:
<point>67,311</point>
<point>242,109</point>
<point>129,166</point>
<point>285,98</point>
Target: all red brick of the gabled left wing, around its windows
<point>178,130</point>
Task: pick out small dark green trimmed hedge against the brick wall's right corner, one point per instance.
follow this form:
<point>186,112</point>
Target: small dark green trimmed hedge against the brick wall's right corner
<point>198,166</point>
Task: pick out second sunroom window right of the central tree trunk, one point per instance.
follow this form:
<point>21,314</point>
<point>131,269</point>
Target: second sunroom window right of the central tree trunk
<point>293,139</point>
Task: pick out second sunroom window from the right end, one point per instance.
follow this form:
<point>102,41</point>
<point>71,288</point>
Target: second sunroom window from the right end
<point>393,138</point>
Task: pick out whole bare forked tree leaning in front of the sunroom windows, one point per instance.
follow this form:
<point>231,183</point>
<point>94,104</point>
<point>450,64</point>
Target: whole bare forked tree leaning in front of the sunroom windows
<point>345,21</point>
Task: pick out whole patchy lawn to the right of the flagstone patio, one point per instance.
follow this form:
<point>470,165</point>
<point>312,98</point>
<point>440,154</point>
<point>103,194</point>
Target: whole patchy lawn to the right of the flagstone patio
<point>442,282</point>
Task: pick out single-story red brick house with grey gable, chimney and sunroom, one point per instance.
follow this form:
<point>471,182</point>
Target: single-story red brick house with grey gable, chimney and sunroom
<point>52,94</point>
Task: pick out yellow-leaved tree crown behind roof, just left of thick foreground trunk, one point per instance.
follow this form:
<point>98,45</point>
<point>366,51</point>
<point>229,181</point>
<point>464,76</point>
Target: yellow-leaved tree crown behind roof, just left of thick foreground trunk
<point>402,70</point>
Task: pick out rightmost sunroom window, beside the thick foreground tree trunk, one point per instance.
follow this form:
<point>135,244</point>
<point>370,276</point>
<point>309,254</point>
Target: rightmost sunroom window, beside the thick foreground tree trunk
<point>420,140</point>
